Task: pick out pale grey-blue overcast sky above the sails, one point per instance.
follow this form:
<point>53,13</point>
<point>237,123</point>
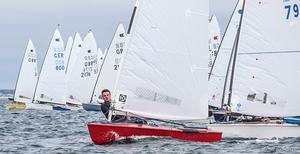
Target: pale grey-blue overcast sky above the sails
<point>21,20</point>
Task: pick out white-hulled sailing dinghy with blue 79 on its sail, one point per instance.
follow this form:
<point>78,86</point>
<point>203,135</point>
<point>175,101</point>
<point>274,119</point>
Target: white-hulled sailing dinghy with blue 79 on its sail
<point>262,73</point>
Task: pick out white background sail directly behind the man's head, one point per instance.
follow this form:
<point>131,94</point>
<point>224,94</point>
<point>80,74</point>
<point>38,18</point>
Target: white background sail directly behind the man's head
<point>110,69</point>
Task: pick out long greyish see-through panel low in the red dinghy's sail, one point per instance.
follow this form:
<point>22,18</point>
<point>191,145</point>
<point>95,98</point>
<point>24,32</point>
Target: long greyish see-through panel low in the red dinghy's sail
<point>150,95</point>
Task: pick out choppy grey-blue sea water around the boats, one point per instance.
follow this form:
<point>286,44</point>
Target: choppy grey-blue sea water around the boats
<point>34,131</point>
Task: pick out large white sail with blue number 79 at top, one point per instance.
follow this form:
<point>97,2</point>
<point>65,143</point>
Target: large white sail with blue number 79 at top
<point>266,76</point>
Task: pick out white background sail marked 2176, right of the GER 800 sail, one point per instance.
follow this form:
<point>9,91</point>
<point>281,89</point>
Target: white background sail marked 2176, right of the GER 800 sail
<point>83,77</point>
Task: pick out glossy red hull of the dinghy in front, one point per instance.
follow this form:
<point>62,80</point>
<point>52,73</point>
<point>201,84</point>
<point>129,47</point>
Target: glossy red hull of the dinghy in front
<point>102,133</point>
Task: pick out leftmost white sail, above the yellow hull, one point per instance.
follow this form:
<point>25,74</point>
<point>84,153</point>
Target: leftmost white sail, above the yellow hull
<point>28,76</point>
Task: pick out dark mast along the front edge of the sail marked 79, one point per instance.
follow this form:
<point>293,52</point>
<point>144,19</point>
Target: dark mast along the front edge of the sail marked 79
<point>235,53</point>
